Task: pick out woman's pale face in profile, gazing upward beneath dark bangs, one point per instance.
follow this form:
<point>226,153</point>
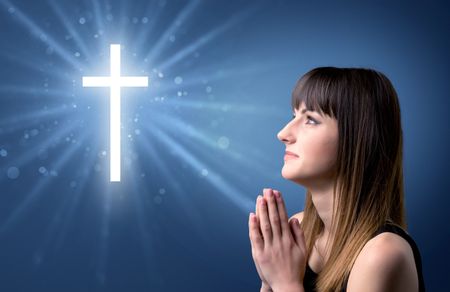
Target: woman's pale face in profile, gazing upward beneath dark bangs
<point>313,139</point>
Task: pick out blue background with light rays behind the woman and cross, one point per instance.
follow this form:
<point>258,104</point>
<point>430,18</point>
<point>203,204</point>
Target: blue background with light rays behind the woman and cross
<point>199,144</point>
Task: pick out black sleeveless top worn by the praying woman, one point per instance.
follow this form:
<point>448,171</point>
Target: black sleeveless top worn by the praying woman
<point>309,280</point>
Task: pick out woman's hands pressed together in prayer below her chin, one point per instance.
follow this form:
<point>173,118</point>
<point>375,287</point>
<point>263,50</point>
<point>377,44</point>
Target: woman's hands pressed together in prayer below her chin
<point>278,244</point>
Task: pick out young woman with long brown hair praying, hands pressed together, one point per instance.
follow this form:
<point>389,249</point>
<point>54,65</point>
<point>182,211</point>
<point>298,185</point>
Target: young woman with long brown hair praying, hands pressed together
<point>344,145</point>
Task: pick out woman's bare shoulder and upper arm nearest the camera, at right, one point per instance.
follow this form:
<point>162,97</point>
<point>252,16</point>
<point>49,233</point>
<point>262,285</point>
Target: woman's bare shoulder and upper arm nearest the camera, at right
<point>386,263</point>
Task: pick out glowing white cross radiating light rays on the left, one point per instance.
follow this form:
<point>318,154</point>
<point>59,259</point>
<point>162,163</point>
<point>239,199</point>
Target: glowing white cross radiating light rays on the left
<point>115,82</point>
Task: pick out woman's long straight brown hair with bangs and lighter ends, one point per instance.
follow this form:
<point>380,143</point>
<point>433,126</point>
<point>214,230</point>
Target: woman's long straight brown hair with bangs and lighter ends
<point>368,189</point>
